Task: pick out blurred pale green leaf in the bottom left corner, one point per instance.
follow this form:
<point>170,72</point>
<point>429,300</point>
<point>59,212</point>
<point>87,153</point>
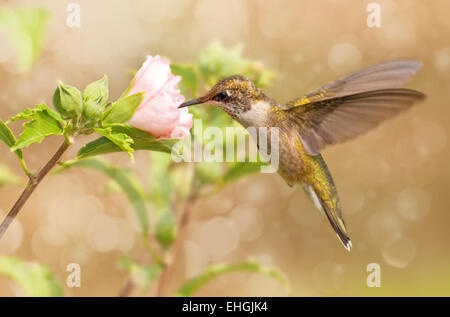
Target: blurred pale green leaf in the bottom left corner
<point>35,279</point>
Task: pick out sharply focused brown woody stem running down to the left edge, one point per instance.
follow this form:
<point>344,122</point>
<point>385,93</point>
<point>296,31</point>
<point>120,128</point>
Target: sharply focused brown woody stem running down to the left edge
<point>33,182</point>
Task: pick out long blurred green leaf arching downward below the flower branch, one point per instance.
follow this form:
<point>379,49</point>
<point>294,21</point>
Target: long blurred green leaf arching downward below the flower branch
<point>127,182</point>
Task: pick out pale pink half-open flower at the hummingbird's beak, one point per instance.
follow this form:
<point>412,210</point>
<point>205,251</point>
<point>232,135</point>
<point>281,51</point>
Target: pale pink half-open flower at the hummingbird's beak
<point>158,113</point>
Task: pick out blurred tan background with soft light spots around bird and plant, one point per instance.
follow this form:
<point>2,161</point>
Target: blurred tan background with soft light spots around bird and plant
<point>393,182</point>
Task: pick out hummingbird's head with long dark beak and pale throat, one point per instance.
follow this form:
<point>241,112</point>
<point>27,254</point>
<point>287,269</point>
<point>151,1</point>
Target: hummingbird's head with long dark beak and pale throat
<point>239,97</point>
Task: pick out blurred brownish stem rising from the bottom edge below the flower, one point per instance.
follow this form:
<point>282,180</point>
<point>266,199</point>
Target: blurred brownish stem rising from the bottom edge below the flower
<point>172,255</point>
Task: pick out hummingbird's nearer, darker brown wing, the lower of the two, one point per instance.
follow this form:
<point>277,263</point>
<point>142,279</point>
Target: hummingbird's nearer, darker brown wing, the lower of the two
<point>336,120</point>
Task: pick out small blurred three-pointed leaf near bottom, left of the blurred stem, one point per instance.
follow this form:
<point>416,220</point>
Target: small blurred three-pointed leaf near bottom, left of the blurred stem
<point>143,276</point>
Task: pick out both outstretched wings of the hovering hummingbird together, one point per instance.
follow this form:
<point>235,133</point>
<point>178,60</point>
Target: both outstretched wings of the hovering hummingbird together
<point>342,110</point>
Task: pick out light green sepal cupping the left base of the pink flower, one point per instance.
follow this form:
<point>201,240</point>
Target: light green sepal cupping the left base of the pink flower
<point>123,109</point>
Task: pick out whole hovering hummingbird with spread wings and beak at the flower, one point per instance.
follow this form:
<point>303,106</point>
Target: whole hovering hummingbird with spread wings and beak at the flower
<point>334,113</point>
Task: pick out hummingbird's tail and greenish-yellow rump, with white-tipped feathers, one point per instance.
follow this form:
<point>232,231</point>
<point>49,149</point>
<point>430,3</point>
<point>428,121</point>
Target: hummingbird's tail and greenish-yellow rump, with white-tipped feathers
<point>322,191</point>
